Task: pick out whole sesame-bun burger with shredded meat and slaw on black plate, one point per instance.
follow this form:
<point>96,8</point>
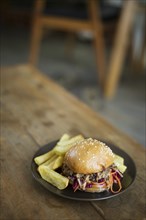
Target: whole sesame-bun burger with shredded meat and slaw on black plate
<point>89,165</point>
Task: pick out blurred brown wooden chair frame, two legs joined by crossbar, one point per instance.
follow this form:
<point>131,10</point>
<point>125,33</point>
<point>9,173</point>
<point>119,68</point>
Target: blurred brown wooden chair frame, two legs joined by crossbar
<point>93,23</point>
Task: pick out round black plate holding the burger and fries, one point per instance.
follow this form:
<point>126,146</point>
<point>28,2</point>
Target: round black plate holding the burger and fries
<point>127,180</point>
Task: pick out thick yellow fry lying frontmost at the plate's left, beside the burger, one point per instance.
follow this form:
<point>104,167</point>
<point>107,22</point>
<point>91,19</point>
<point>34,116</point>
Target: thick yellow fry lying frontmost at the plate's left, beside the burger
<point>53,177</point>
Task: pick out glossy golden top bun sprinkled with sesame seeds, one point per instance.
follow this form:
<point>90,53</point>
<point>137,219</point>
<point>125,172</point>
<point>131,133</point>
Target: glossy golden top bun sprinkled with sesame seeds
<point>88,156</point>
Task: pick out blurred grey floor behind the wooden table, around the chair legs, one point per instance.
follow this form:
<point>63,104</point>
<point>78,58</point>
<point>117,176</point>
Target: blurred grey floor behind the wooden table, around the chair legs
<point>78,75</point>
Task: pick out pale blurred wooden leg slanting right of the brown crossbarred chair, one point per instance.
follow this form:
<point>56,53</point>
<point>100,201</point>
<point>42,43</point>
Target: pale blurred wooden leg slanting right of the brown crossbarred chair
<point>119,49</point>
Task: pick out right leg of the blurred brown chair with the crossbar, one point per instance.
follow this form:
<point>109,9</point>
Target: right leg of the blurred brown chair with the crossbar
<point>98,42</point>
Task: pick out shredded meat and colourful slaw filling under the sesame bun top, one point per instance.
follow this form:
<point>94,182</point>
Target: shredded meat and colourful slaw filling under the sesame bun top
<point>101,181</point>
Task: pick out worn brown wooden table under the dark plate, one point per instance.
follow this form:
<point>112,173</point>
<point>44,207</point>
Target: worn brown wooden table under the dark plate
<point>35,111</point>
